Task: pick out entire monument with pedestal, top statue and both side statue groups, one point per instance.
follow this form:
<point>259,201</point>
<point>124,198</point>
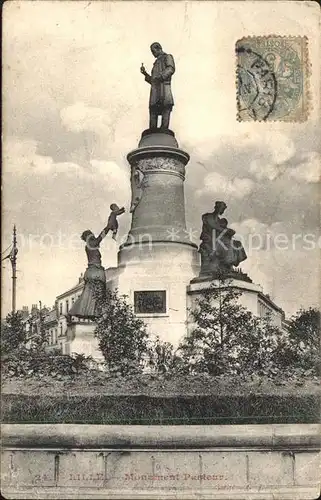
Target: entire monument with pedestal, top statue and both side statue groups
<point>158,265</point>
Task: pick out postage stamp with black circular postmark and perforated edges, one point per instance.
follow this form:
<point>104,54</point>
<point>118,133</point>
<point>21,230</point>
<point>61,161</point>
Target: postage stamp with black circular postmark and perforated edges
<point>272,78</point>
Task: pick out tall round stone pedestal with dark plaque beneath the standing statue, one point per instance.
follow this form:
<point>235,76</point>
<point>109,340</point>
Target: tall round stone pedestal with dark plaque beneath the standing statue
<point>158,260</point>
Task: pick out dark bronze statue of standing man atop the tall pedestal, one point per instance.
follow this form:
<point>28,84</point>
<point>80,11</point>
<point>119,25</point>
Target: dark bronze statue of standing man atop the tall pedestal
<point>161,99</point>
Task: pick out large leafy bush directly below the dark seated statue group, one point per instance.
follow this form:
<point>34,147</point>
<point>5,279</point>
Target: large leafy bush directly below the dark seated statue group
<point>226,338</point>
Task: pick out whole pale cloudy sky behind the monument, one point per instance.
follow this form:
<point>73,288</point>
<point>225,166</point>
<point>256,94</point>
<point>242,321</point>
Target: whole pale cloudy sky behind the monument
<point>75,103</point>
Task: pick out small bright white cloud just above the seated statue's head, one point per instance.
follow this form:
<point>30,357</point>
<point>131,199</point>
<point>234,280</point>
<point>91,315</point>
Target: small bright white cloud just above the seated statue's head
<point>218,184</point>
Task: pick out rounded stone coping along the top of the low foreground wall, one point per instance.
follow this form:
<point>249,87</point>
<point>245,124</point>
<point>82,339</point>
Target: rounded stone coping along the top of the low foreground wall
<point>264,436</point>
